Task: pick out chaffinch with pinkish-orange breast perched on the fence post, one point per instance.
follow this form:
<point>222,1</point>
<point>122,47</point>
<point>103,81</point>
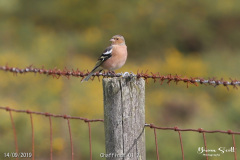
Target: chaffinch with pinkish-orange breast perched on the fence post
<point>112,58</point>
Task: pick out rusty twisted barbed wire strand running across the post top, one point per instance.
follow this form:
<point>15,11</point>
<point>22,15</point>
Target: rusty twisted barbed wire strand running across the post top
<point>156,77</point>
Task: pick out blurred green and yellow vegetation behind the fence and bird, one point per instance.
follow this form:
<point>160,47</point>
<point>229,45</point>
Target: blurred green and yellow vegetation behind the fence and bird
<point>189,38</point>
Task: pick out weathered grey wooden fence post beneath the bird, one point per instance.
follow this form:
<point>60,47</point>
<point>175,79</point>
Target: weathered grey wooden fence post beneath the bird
<point>124,118</point>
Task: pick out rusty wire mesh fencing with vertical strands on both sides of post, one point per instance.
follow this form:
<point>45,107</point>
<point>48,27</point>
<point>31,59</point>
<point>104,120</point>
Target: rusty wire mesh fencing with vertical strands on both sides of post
<point>89,121</point>
